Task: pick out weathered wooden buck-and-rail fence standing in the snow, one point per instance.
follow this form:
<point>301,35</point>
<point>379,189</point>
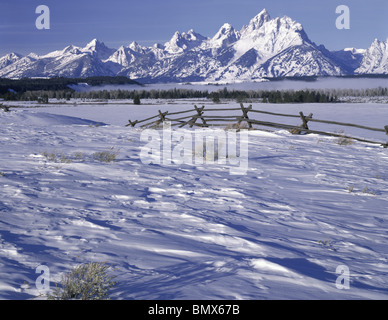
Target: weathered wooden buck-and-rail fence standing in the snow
<point>190,119</point>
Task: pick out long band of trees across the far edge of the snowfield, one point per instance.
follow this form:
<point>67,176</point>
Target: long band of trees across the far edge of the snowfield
<point>266,96</point>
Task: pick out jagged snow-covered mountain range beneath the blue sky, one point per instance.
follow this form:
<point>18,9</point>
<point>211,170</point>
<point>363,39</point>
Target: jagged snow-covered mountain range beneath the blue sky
<point>264,48</point>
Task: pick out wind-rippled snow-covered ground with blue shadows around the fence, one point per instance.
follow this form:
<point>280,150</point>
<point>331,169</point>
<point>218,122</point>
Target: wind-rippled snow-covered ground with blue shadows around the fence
<point>306,206</point>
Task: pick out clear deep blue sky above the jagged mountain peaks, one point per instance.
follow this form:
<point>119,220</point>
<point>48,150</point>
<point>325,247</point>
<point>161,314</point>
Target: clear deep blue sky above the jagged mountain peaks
<point>119,22</point>
